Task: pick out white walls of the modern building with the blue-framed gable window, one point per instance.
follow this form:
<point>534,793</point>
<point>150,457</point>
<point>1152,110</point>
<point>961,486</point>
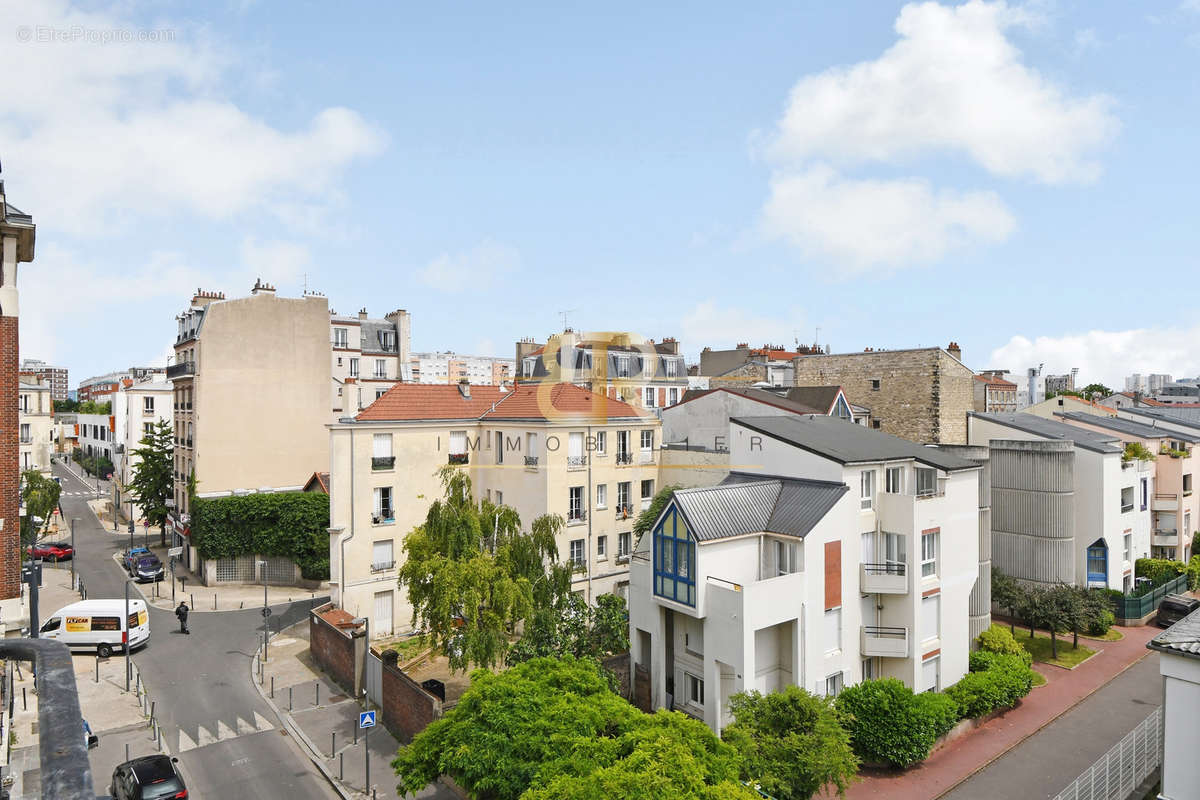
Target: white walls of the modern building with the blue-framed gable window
<point>853,599</point>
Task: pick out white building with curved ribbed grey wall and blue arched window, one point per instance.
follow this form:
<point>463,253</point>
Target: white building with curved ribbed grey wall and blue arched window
<point>1075,514</point>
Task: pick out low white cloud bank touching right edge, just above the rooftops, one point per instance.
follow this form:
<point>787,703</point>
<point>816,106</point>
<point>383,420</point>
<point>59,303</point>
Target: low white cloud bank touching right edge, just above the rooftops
<point>1106,357</point>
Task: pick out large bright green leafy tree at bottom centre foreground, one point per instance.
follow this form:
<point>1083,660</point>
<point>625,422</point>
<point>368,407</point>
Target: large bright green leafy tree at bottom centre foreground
<point>508,726</point>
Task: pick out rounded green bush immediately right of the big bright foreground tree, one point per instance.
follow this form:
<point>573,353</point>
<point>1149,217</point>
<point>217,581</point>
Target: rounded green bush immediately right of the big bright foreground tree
<point>793,743</point>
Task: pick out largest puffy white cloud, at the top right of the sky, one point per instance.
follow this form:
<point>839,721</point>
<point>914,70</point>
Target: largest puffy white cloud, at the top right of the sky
<point>955,83</point>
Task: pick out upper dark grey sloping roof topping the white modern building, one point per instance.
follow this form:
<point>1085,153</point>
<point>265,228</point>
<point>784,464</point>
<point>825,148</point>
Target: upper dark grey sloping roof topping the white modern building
<point>847,443</point>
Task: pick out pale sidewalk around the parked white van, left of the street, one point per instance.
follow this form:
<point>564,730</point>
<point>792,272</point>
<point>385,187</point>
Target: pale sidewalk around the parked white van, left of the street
<point>121,719</point>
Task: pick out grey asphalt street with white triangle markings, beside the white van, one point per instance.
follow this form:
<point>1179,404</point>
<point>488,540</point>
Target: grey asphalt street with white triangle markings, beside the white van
<point>201,683</point>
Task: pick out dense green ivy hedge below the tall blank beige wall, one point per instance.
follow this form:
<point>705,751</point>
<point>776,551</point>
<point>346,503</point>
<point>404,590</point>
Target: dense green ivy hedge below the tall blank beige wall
<point>293,525</point>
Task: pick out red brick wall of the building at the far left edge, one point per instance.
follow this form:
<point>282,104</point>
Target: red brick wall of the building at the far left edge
<point>10,473</point>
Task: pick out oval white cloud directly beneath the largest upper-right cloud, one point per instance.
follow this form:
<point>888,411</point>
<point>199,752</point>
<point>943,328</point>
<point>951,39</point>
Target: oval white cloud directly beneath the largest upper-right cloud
<point>869,225</point>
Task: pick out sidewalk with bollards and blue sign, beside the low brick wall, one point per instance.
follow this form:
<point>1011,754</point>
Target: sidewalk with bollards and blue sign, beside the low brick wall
<point>325,721</point>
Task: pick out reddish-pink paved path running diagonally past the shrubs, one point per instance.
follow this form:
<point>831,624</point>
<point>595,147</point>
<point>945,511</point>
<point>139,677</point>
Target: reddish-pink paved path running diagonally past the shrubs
<point>964,757</point>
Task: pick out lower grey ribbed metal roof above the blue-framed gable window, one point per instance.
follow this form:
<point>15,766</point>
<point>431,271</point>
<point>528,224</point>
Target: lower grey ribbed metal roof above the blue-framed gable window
<point>751,504</point>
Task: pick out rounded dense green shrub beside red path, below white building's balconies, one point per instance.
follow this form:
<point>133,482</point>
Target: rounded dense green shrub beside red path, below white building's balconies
<point>889,724</point>
